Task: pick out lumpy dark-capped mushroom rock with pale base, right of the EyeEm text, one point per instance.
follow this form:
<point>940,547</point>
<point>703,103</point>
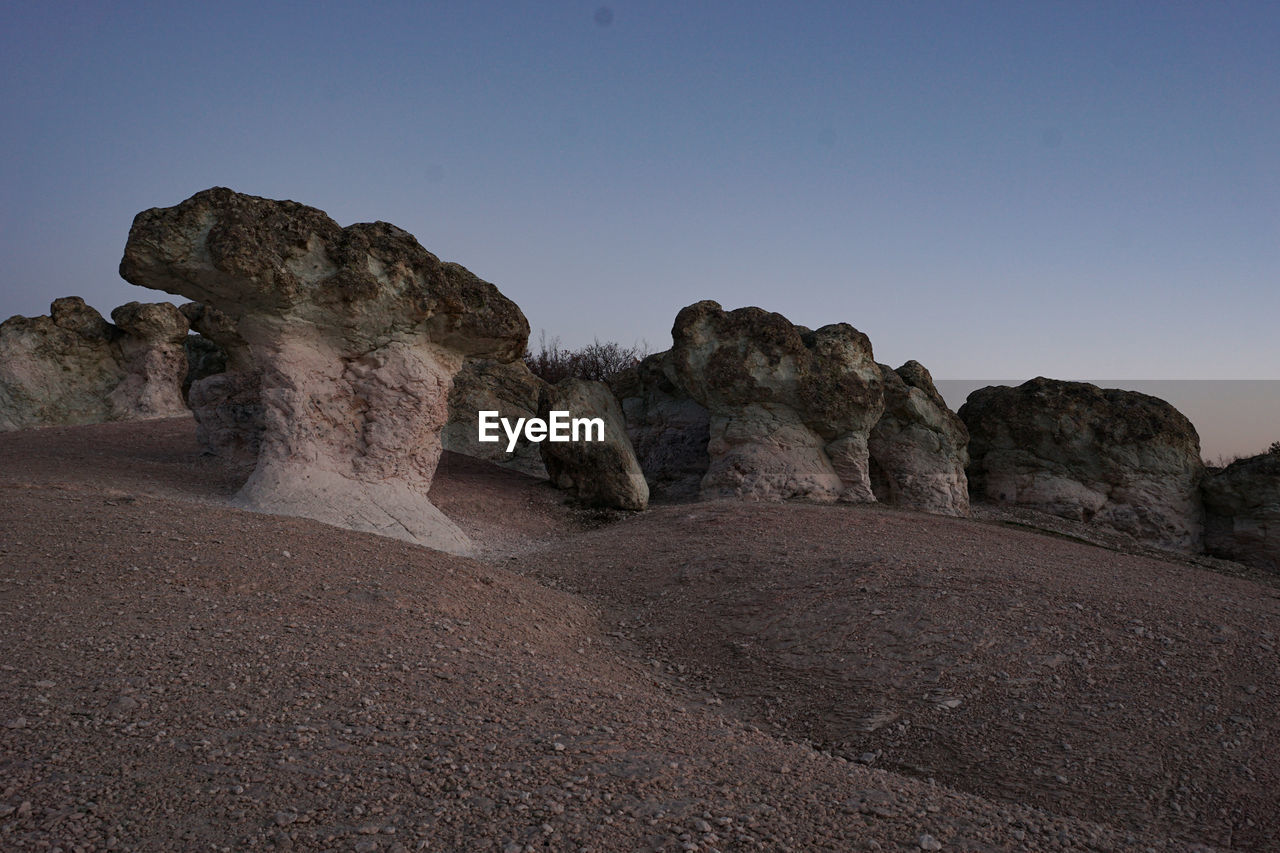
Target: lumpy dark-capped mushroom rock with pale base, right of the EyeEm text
<point>790,409</point>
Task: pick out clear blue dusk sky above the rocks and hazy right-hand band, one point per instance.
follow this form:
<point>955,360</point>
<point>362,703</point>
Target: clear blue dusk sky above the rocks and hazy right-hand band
<point>1067,189</point>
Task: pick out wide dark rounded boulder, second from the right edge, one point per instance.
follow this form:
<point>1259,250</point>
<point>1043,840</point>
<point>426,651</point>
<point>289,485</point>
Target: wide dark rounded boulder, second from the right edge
<point>1113,458</point>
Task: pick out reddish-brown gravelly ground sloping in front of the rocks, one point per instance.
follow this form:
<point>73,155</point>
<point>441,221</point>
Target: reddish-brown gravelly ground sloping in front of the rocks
<point>179,676</point>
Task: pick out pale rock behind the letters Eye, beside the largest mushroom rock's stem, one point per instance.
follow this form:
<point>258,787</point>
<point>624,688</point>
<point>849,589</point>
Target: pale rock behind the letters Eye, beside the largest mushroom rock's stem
<point>513,391</point>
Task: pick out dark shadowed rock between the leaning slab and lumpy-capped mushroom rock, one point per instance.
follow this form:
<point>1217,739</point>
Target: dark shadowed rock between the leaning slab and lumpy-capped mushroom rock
<point>669,431</point>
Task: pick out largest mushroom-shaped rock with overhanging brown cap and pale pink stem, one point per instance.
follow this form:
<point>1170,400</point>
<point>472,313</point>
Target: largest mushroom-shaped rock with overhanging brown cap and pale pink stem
<point>356,332</point>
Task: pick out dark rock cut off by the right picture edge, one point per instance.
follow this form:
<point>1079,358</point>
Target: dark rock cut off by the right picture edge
<point>1242,512</point>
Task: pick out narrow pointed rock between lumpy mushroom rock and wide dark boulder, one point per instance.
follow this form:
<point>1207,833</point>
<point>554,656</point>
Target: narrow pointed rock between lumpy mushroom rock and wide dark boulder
<point>920,448</point>
